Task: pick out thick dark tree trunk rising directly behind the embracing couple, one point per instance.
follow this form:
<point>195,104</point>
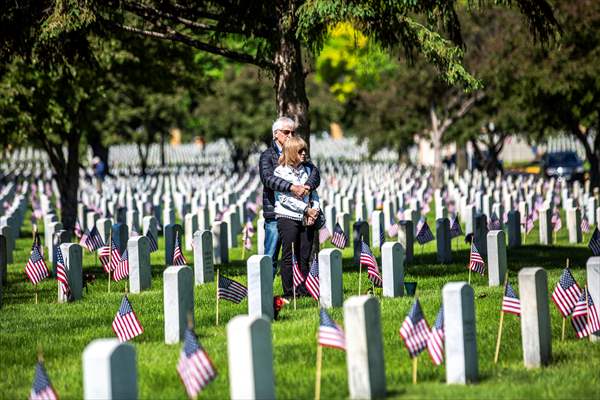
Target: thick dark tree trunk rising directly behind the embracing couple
<point>290,90</point>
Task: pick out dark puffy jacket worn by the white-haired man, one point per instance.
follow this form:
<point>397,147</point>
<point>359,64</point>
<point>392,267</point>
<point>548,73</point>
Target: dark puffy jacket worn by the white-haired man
<point>269,160</point>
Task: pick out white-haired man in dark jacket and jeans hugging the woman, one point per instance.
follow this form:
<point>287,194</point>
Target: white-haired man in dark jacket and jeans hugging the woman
<point>282,129</point>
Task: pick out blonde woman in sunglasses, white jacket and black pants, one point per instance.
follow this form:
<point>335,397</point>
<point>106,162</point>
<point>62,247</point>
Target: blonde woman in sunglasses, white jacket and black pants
<point>295,216</point>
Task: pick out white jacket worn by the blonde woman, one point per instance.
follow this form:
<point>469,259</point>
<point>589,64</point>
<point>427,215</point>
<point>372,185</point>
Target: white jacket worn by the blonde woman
<point>286,204</point>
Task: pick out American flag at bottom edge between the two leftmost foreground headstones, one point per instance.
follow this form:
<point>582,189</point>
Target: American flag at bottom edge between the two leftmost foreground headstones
<point>195,368</point>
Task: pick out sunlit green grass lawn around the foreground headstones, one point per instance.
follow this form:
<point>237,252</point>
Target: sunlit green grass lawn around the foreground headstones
<point>63,331</point>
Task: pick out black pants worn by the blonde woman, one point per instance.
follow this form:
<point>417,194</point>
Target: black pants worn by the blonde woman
<point>293,234</point>
